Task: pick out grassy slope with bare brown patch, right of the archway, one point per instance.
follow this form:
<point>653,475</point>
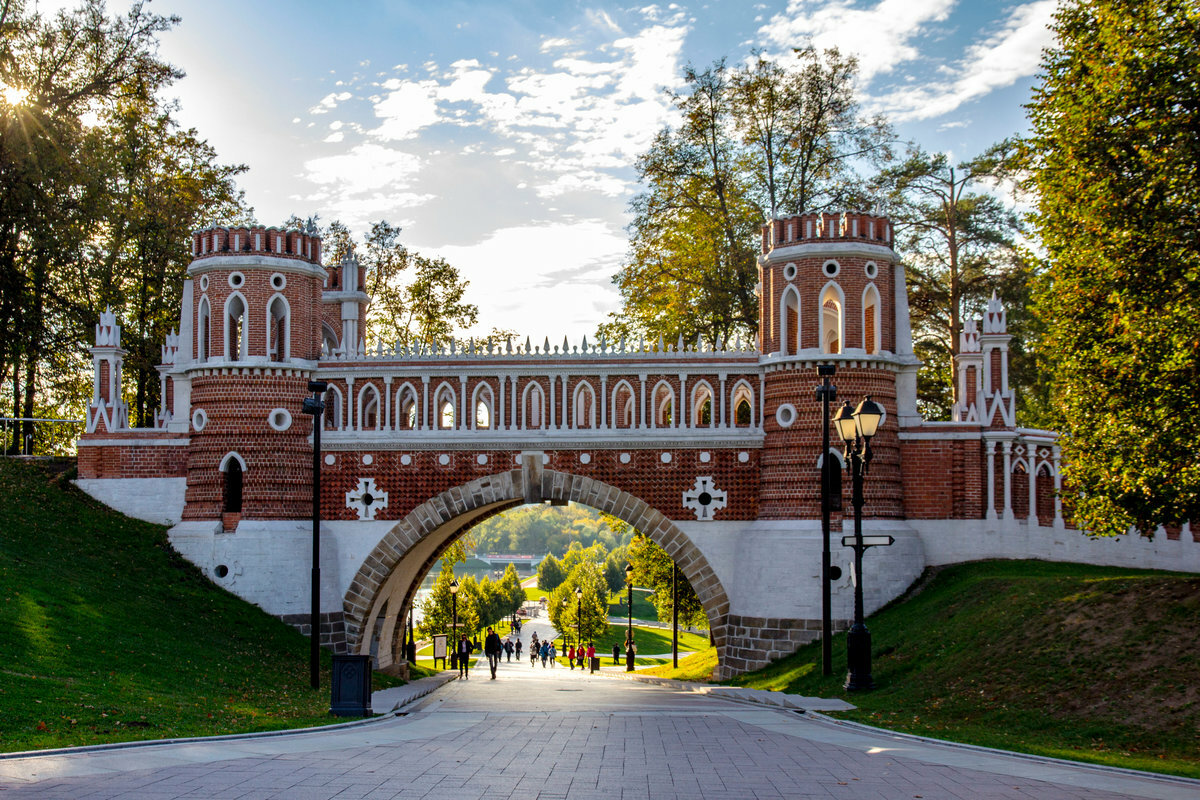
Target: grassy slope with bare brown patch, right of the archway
<point>1063,660</point>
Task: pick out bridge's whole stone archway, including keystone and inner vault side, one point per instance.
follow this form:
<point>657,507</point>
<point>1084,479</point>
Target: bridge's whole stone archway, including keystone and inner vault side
<point>389,578</point>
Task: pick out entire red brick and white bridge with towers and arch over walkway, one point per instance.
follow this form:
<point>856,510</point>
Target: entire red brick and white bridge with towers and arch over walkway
<point>712,453</point>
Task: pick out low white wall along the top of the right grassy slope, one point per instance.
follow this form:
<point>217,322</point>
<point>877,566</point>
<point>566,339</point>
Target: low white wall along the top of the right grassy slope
<point>952,542</point>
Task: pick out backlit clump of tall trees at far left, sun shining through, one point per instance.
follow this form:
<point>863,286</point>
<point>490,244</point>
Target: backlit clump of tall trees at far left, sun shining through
<point>61,183</point>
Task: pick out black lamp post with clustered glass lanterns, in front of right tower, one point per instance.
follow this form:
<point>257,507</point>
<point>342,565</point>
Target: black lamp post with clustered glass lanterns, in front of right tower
<point>857,429</point>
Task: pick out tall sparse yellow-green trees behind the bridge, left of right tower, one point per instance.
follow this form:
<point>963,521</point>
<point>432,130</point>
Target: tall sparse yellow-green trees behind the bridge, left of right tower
<point>753,142</point>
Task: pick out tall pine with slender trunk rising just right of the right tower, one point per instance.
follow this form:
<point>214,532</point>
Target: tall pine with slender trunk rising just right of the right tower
<point>957,243</point>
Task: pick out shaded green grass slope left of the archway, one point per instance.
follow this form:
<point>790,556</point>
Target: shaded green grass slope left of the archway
<point>110,636</point>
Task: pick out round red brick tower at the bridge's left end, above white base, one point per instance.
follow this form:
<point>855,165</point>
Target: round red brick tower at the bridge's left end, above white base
<point>256,340</point>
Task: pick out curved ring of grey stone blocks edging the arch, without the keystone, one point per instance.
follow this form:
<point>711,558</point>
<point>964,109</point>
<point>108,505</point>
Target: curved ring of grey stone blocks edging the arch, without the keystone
<point>505,488</point>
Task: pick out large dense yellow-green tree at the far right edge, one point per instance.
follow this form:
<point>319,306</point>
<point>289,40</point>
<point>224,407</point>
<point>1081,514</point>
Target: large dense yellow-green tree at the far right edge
<point>1115,163</point>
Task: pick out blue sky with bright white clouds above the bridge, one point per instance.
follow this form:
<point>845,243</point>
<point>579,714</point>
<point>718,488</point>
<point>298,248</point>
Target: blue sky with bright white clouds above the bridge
<point>502,135</point>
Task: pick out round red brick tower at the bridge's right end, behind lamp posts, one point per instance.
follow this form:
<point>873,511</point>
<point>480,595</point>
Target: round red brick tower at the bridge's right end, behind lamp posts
<point>831,292</point>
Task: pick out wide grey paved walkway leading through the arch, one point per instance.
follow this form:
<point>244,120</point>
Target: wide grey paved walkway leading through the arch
<point>557,735</point>
